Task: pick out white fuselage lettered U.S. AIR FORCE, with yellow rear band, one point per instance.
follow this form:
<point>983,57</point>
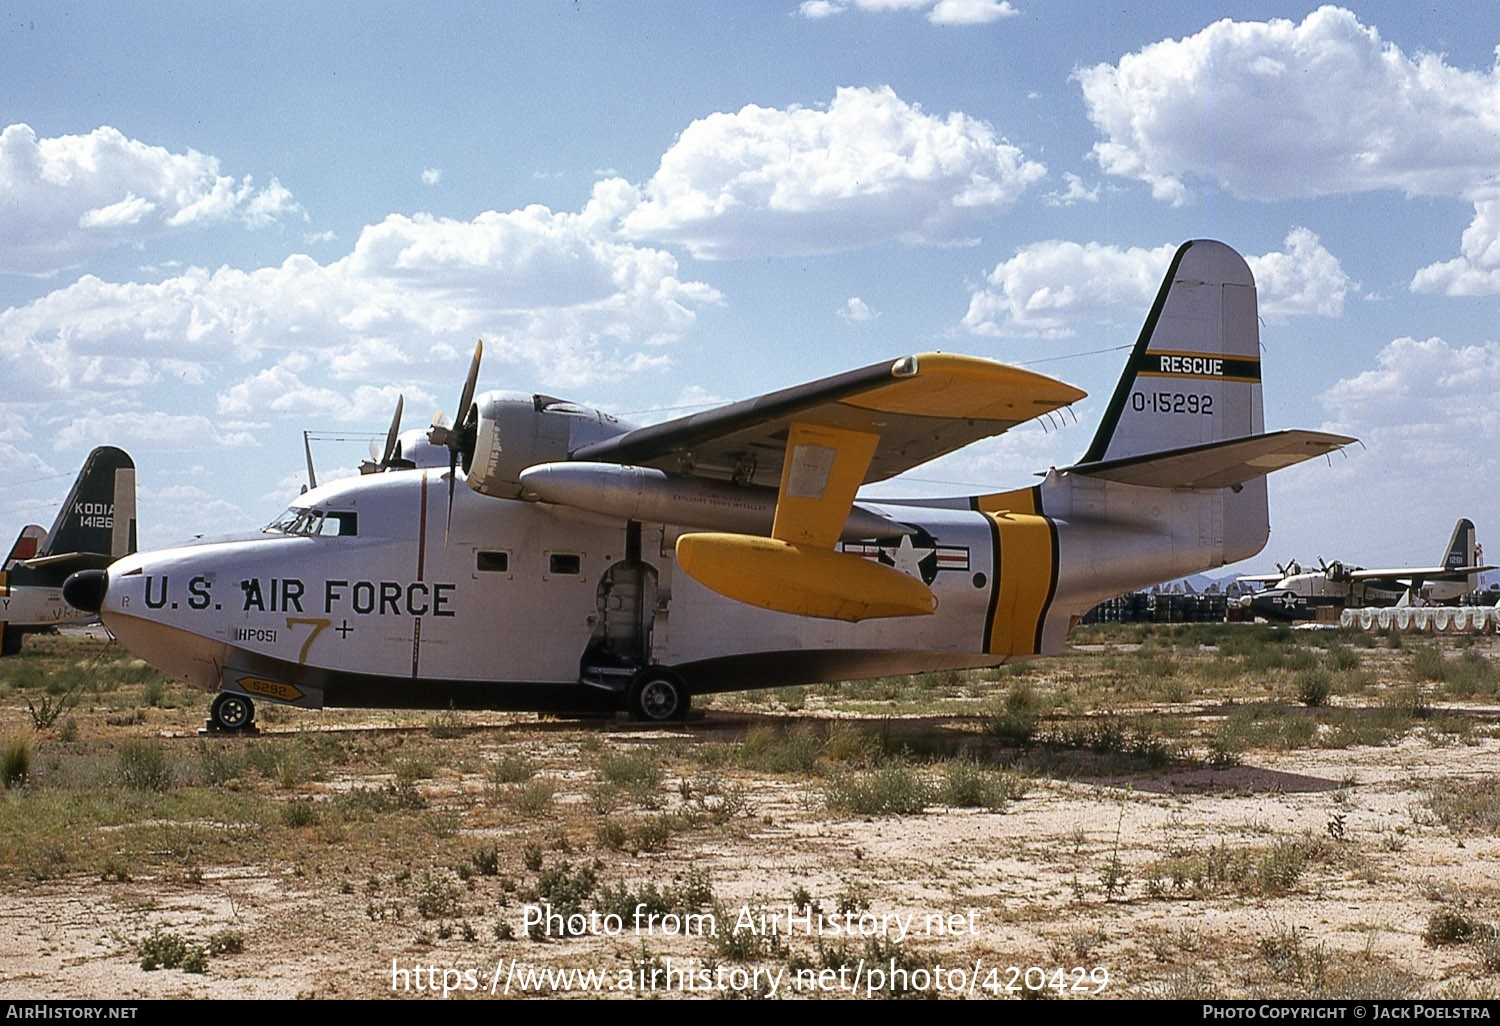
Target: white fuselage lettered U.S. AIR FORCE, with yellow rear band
<point>527,605</point>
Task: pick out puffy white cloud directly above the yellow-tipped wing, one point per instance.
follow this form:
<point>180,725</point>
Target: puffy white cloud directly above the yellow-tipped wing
<point>869,169</point>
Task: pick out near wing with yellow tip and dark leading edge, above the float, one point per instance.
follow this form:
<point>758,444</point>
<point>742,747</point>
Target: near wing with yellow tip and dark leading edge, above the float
<point>919,407</point>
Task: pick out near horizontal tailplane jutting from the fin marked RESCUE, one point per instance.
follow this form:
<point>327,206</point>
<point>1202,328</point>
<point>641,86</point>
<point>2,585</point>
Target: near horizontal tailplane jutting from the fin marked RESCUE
<point>1222,464</point>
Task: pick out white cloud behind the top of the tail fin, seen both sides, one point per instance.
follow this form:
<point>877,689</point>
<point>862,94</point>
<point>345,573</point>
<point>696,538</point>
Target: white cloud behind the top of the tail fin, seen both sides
<point>1055,289</point>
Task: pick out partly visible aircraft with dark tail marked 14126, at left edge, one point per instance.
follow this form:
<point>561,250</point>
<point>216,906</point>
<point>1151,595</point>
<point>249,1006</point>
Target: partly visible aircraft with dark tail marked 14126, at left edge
<point>94,529</point>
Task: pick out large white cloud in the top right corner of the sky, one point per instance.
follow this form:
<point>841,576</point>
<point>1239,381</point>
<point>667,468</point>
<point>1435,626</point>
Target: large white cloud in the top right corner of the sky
<point>1277,110</point>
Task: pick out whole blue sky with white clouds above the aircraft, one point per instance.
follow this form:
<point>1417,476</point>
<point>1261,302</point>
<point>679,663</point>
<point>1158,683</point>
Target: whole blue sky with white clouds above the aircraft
<point>223,226</point>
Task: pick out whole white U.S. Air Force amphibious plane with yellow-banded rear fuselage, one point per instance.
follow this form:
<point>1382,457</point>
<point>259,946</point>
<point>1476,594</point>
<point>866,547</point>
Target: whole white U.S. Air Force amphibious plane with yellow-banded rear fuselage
<point>592,566</point>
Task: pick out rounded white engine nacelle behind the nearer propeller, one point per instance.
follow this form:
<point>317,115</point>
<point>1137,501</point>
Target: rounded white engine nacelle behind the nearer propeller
<point>517,431</point>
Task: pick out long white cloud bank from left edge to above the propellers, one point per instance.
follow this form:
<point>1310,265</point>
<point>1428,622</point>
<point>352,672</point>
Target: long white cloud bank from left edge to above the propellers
<point>550,290</point>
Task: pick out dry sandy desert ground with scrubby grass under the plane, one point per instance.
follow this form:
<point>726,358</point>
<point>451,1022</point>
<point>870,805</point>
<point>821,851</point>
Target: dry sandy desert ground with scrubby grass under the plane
<point>1163,812</point>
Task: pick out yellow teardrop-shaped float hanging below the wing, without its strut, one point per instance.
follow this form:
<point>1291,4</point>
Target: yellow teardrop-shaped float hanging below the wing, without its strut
<point>803,581</point>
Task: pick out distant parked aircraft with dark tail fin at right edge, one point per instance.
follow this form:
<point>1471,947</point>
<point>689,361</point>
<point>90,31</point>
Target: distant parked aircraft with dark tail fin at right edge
<point>1298,595</point>
